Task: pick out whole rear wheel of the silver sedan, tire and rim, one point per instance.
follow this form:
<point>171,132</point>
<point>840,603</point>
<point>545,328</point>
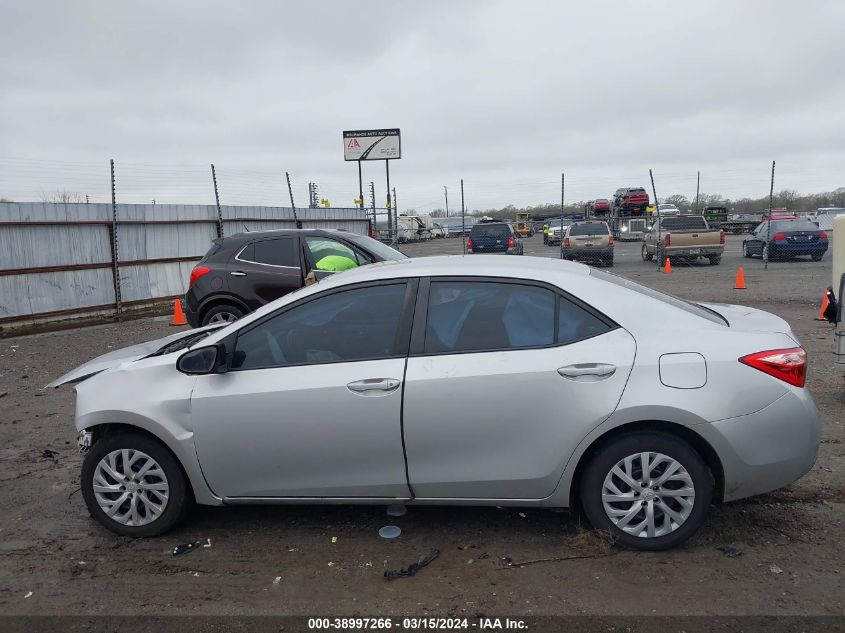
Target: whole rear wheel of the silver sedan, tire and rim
<point>650,490</point>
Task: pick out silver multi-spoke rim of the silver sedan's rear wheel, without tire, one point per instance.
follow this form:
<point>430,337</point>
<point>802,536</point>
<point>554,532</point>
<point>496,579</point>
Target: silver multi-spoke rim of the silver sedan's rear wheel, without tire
<point>648,495</point>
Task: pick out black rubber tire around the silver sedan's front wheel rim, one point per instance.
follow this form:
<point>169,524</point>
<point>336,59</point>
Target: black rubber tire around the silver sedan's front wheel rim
<point>179,499</point>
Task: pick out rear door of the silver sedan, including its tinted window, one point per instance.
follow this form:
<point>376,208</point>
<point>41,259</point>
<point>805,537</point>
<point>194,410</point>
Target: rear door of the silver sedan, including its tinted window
<point>502,423</point>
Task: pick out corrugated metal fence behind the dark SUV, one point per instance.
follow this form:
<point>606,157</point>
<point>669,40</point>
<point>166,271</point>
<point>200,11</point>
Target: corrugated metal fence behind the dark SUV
<point>58,261</point>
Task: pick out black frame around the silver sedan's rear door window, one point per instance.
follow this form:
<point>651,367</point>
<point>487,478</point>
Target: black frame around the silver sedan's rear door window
<point>418,331</point>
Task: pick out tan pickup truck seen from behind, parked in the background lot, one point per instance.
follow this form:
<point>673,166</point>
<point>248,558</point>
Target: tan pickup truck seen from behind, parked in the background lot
<point>683,237</point>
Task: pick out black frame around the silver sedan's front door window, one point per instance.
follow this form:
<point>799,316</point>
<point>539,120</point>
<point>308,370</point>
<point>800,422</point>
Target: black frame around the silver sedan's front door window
<point>403,331</point>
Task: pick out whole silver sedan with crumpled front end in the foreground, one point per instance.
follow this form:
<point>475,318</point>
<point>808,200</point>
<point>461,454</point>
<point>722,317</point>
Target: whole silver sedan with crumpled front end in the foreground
<point>395,383</point>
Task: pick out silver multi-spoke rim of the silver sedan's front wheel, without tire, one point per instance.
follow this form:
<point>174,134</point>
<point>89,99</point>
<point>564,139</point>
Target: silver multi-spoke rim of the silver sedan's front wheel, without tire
<point>130,487</point>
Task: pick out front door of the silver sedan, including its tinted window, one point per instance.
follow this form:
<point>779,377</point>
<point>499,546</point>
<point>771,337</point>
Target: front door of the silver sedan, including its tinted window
<point>311,406</point>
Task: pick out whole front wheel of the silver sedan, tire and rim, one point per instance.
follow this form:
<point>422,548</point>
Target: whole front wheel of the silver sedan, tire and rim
<point>134,486</point>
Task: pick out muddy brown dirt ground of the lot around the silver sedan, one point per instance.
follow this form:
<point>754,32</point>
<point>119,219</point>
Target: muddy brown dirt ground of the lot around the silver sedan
<point>54,559</point>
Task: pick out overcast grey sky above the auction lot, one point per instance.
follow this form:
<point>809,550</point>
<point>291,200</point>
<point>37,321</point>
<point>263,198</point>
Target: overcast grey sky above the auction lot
<point>504,94</point>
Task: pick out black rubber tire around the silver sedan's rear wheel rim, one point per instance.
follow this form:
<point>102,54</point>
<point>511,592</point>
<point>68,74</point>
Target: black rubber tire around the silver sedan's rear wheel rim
<point>616,450</point>
